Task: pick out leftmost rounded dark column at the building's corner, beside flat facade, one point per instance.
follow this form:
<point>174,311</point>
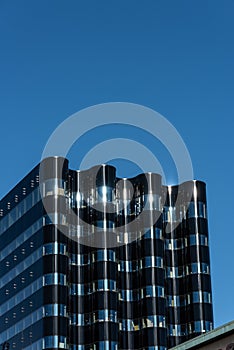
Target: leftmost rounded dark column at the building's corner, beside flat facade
<point>53,174</point>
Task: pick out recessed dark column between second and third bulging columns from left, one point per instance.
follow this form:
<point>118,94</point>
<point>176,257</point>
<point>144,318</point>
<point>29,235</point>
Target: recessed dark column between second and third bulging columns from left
<point>128,274</point>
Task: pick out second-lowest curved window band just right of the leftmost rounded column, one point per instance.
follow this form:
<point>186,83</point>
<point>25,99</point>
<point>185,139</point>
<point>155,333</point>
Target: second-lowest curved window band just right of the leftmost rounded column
<point>104,315</point>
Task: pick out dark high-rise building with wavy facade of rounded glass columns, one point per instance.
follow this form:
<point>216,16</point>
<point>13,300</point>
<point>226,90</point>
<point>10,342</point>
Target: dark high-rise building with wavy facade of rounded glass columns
<point>92,261</point>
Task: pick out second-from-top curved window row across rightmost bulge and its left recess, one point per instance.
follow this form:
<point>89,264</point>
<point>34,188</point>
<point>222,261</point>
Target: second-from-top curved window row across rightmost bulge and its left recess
<point>180,243</point>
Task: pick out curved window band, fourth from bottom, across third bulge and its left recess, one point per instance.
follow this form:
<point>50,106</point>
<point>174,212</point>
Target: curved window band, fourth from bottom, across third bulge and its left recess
<point>136,265</point>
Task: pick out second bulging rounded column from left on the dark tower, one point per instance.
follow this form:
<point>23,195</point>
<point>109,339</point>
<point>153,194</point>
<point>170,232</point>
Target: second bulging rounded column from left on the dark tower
<point>103,260</point>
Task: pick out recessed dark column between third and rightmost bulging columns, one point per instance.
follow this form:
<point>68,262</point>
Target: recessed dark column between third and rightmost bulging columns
<point>175,257</point>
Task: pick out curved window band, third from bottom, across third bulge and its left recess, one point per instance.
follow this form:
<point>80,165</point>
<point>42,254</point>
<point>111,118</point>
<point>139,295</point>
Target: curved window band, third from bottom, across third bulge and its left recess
<point>150,291</point>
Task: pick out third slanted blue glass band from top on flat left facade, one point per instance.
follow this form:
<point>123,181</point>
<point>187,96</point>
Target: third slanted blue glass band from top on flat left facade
<point>23,265</point>
